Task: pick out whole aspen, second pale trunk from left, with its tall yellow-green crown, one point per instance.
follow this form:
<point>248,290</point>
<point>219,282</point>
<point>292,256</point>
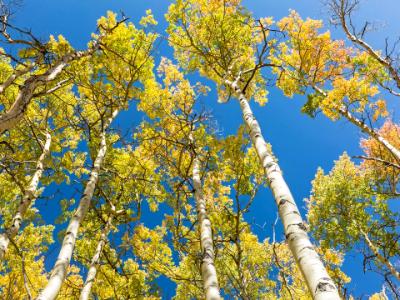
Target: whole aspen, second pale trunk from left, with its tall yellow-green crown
<point>102,101</point>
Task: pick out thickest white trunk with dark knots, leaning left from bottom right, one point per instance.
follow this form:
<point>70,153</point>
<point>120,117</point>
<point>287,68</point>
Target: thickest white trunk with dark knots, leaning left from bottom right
<point>319,283</point>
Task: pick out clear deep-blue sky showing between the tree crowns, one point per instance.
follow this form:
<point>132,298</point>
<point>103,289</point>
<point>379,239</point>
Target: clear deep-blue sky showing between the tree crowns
<point>301,144</point>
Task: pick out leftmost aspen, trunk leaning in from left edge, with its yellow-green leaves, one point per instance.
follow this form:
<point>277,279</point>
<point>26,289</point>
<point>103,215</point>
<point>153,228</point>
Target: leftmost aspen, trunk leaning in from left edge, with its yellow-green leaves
<point>41,131</point>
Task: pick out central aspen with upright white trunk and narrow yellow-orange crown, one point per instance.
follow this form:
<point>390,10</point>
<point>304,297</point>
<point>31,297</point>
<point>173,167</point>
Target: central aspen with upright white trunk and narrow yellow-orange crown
<point>172,107</point>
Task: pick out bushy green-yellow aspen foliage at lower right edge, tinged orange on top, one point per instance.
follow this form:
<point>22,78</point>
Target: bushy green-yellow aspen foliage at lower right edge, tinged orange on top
<point>350,208</point>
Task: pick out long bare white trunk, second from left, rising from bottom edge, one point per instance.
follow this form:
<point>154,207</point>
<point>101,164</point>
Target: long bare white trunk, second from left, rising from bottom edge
<point>59,271</point>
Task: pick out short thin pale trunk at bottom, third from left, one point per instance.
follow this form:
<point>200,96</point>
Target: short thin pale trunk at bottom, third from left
<point>85,293</point>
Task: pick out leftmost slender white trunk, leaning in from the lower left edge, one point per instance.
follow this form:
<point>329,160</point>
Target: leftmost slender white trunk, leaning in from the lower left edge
<point>30,194</point>
